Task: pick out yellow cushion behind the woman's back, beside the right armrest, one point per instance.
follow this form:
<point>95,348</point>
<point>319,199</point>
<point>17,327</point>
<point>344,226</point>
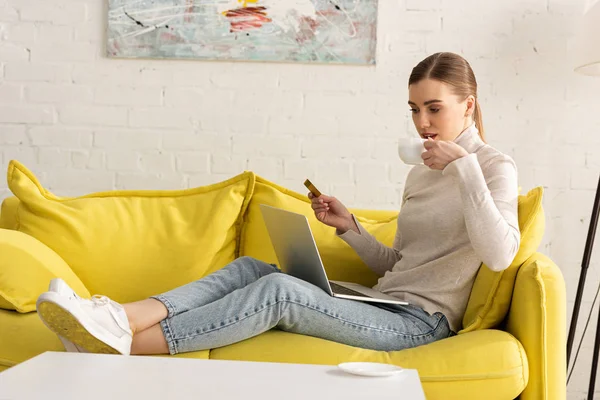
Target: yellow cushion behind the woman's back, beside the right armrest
<point>492,291</point>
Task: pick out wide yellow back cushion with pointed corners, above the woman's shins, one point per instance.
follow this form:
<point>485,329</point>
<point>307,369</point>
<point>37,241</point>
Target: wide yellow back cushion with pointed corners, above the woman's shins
<point>132,244</point>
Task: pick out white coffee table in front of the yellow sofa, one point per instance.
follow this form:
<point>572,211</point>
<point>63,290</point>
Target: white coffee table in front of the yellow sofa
<point>65,376</point>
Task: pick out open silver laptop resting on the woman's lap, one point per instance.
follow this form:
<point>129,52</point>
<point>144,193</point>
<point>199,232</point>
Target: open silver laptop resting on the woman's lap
<point>299,256</point>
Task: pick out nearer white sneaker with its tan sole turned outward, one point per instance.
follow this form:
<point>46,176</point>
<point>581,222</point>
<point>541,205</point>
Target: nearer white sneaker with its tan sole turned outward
<point>99,324</point>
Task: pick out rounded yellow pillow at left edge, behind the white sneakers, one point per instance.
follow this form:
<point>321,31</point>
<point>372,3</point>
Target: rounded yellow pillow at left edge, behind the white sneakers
<point>26,268</point>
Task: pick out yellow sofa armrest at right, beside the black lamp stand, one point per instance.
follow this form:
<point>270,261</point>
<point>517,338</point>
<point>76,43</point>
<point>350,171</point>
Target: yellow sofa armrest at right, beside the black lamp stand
<point>537,318</point>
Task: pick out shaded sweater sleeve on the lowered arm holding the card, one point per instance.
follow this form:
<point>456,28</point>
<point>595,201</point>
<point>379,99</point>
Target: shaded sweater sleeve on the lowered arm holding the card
<point>379,257</point>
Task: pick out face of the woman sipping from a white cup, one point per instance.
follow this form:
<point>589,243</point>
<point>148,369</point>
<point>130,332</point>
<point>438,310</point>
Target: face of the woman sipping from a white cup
<point>437,112</point>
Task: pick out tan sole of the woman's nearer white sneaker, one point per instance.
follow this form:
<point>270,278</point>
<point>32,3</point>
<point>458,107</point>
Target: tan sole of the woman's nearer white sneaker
<point>62,322</point>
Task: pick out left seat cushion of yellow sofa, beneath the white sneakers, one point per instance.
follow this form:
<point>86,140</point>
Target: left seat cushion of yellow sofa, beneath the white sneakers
<point>24,336</point>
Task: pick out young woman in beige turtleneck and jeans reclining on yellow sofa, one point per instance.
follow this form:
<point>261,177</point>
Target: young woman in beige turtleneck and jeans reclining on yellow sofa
<point>459,209</point>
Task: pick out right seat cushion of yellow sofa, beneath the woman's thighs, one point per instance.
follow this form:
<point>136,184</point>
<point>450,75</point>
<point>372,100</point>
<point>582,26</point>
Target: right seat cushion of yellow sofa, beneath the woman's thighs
<point>449,369</point>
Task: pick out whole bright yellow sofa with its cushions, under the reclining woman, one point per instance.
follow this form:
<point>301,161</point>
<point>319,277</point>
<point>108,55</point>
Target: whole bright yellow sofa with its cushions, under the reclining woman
<point>131,244</point>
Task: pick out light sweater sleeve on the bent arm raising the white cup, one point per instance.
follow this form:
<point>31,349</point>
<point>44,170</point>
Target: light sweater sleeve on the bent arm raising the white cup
<point>490,207</point>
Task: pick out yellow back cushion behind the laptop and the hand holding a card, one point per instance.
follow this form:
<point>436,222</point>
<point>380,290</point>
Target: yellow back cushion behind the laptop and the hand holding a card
<point>340,260</point>
